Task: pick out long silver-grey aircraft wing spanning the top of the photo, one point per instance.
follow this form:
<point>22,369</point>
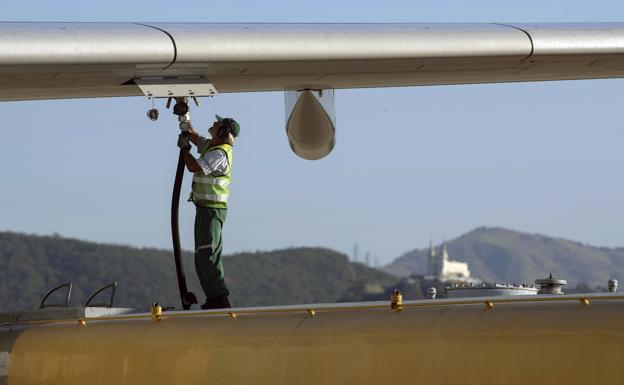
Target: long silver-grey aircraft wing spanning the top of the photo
<point>69,60</point>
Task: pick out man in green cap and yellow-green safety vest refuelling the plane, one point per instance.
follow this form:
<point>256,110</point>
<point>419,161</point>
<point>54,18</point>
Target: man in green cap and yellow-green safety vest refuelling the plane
<point>211,189</point>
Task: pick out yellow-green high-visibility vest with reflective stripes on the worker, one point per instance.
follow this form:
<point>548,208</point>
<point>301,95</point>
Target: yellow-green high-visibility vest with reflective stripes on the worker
<point>210,190</point>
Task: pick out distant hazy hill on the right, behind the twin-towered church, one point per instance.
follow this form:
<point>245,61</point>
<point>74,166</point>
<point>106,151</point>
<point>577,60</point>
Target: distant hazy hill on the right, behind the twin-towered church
<point>501,255</point>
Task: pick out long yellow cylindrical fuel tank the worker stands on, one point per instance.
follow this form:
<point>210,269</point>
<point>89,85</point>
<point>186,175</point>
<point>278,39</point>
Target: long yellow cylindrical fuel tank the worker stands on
<point>548,339</point>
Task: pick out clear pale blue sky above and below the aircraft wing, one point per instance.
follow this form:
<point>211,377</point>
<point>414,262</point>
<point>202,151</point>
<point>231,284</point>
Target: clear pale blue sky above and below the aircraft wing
<point>536,157</point>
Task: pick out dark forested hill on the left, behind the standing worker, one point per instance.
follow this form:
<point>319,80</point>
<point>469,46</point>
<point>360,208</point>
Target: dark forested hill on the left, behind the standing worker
<point>33,264</point>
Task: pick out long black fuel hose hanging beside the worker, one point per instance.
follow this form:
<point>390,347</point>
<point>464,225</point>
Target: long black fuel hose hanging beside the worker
<point>187,297</point>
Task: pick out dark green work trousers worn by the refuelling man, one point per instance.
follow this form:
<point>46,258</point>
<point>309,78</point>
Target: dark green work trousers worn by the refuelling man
<point>208,248</point>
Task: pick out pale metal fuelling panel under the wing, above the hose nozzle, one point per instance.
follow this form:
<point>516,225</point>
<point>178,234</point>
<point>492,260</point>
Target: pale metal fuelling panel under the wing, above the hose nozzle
<point>175,87</point>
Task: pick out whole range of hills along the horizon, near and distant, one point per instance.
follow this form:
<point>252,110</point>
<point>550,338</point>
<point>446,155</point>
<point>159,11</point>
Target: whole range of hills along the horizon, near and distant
<point>30,265</point>
